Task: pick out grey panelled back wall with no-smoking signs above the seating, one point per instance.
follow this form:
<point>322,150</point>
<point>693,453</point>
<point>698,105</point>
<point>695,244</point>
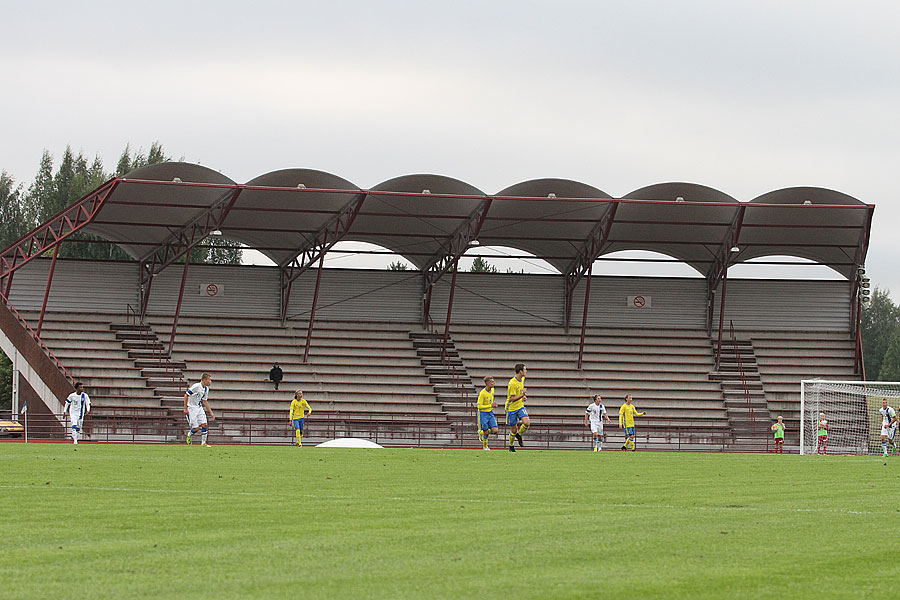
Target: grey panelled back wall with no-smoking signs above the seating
<point>374,295</point>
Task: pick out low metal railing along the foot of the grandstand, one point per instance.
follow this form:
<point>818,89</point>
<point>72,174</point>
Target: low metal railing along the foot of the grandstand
<point>123,425</point>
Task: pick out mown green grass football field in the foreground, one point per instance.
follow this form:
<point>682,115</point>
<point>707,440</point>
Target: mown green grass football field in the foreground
<point>131,521</point>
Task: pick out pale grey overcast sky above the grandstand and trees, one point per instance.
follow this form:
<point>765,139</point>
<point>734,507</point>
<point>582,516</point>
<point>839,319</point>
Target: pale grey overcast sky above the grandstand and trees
<point>745,97</point>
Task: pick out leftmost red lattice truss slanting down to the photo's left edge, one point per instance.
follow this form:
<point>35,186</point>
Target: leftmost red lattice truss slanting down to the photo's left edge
<point>53,231</point>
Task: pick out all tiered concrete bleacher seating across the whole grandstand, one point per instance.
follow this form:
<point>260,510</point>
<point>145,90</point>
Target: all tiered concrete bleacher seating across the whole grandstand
<point>373,374</point>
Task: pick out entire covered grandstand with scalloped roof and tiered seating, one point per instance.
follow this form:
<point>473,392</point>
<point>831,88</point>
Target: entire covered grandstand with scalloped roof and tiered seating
<point>397,356</point>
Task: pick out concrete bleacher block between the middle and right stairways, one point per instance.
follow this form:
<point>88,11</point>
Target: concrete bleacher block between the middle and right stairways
<point>665,371</point>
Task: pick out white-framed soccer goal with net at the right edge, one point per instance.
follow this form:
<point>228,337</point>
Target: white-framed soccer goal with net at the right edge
<point>852,421</point>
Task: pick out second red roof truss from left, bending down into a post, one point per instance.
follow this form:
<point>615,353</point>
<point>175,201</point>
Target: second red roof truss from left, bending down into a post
<point>181,242</point>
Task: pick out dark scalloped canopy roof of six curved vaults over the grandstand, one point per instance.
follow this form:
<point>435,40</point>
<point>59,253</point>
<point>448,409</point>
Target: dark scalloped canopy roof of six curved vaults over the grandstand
<point>285,212</point>
